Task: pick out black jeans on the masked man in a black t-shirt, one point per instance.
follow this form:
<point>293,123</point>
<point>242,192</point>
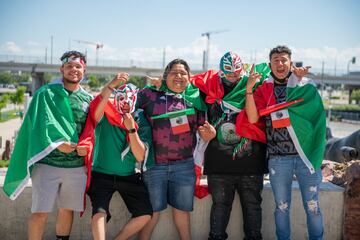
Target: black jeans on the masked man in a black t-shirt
<point>222,188</point>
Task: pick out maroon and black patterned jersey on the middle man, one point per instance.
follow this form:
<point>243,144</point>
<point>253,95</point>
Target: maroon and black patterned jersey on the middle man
<point>168,146</point>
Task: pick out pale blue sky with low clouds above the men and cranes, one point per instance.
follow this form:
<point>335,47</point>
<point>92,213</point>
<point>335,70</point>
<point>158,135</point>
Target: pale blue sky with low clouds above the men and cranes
<point>140,30</point>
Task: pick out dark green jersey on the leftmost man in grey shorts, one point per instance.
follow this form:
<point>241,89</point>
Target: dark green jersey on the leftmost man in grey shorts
<point>79,102</point>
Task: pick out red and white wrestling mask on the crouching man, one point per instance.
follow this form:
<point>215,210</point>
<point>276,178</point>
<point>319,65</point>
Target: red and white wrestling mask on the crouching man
<point>125,98</point>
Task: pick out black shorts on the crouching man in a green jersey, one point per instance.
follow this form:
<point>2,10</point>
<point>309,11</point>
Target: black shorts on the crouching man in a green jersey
<point>131,188</point>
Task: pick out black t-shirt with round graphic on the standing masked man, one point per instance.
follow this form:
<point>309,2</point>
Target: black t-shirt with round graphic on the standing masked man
<point>222,155</point>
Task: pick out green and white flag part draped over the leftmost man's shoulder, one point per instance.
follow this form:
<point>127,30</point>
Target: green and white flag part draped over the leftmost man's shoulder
<point>48,123</point>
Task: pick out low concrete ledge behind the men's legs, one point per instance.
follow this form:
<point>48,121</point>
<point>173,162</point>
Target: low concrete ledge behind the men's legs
<point>14,216</point>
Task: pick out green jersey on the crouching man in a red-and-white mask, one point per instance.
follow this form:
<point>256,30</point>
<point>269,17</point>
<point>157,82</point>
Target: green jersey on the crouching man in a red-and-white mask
<point>110,154</point>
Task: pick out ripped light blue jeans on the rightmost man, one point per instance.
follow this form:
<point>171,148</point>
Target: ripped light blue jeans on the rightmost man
<point>281,171</point>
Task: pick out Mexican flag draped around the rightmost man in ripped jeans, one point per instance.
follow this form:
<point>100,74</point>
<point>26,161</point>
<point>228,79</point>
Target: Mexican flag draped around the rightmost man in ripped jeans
<point>307,118</point>
